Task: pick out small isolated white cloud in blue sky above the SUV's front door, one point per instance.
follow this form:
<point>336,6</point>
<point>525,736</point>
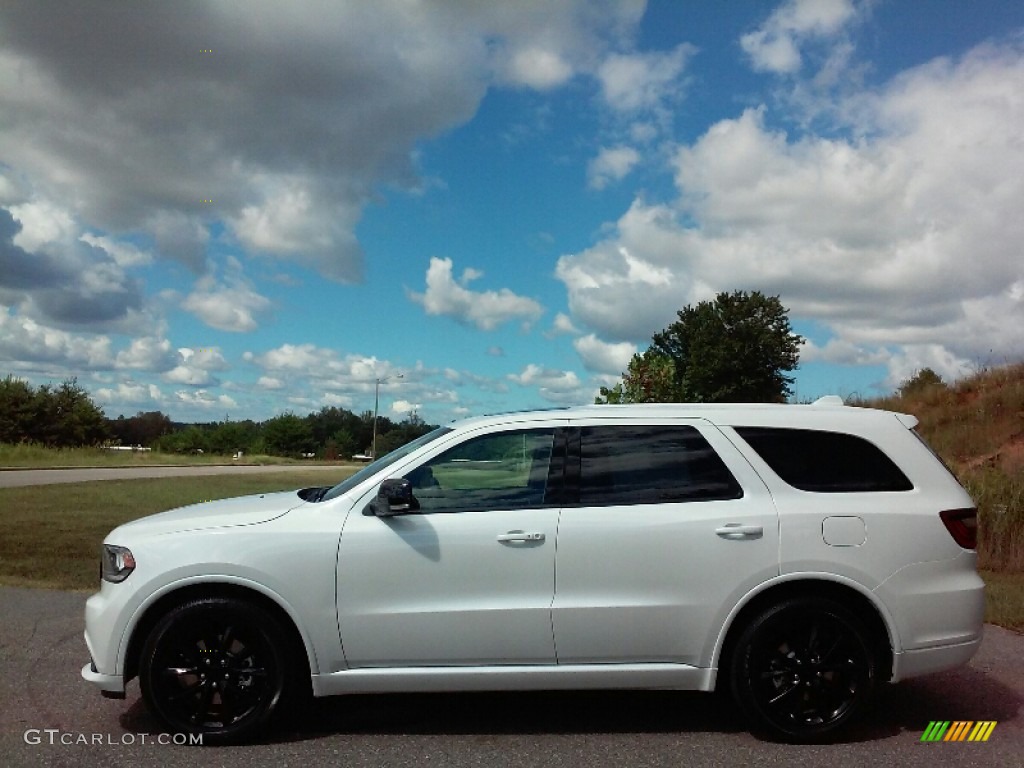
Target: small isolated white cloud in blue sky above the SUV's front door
<point>487,311</point>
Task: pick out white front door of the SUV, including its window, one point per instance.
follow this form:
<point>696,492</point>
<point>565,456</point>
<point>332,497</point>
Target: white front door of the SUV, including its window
<point>468,578</point>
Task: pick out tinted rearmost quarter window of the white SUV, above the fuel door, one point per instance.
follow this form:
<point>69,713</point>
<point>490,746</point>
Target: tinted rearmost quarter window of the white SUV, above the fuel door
<point>826,462</point>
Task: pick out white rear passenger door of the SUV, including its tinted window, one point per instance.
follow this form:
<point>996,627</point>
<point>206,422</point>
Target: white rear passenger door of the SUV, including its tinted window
<point>669,528</point>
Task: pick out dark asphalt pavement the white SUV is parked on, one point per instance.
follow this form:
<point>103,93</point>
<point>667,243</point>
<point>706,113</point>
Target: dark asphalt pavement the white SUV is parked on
<point>42,651</point>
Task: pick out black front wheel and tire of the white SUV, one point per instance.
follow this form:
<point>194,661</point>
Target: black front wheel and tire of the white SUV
<point>220,668</point>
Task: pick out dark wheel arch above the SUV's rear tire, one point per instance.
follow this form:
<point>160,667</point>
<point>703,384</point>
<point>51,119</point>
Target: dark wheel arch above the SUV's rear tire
<point>850,594</point>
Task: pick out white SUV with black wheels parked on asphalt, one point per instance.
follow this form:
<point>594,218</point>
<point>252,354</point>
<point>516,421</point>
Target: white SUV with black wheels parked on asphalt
<point>795,557</point>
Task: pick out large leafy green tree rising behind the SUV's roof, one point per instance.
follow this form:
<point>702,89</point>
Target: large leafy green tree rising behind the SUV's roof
<point>734,350</point>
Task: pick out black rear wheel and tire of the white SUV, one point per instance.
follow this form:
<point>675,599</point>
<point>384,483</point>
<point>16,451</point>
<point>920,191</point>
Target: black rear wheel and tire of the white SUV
<point>803,669</point>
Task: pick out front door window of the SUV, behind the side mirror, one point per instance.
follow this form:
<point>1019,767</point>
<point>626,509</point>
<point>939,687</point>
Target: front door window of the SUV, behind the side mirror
<point>505,471</point>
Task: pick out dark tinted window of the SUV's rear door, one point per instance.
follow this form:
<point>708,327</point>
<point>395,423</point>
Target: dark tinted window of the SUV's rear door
<point>649,464</point>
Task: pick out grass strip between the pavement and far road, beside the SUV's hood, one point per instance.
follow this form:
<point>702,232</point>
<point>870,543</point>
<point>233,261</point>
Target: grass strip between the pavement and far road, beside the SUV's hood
<point>51,535</point>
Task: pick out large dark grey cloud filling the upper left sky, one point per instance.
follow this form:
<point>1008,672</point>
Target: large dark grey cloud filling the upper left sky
<point>280,120</point>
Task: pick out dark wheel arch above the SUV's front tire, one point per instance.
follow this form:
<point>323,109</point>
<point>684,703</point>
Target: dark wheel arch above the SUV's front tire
<point>179,594</point>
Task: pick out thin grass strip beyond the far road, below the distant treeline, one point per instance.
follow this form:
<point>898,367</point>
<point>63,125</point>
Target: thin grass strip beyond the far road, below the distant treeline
<point>31,456</point>
